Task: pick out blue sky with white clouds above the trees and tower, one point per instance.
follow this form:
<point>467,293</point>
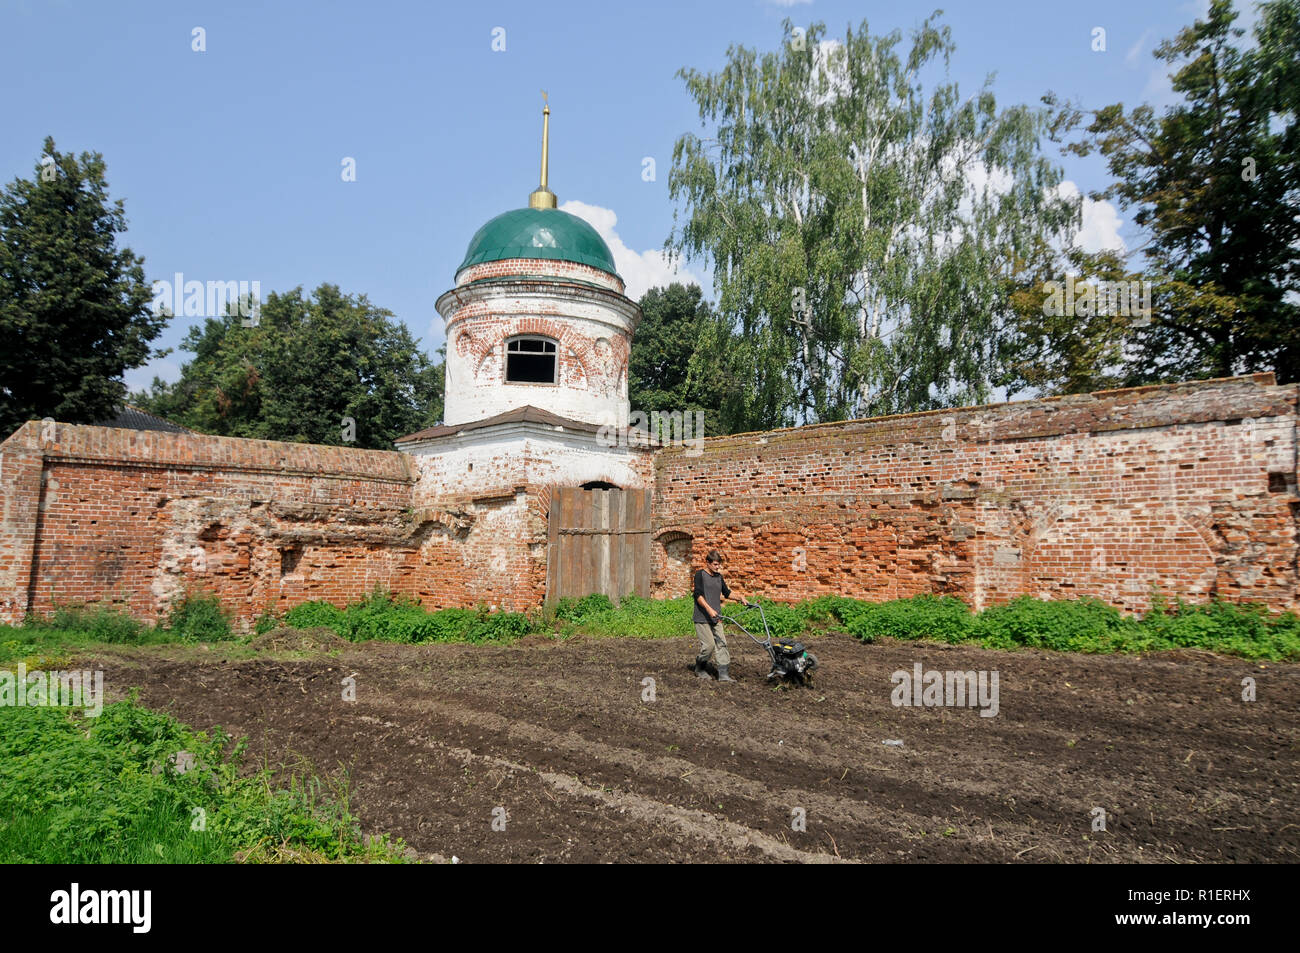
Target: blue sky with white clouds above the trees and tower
<point>229,161</point>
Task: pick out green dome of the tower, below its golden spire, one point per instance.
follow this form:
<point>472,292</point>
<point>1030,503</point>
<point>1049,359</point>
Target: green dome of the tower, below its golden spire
<point>539,233</point>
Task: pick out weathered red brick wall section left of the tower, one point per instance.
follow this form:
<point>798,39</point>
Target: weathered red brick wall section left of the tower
<point>137,519</point>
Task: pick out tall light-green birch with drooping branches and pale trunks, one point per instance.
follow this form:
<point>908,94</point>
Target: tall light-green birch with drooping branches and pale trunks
<point>861,229</point>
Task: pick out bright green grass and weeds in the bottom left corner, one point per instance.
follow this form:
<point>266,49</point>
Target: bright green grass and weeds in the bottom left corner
<point>79,790</point>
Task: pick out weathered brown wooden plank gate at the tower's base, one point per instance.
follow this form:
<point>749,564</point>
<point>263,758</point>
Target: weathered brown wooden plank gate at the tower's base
<point>599,543</point>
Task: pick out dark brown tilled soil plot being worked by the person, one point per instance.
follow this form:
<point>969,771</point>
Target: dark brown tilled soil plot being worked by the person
<point>560,737</point>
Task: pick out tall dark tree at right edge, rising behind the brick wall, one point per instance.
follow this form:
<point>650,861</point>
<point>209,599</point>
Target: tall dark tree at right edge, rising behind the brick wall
<point>1215,183</point>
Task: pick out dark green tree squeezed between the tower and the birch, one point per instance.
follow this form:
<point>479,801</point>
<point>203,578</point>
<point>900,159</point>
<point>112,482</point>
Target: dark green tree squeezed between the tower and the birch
<point>671,369</point>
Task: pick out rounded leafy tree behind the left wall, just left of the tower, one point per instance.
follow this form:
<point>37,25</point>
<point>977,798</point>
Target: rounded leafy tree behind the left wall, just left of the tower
<point>306,369</point>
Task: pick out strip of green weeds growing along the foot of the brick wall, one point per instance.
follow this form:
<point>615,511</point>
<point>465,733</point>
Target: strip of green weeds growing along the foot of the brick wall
<point>1086,626</point>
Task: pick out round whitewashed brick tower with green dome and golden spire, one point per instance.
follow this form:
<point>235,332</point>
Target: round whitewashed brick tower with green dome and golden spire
<point>539,336</point>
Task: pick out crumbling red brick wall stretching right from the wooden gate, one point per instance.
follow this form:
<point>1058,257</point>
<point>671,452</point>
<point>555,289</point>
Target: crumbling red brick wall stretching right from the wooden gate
<point>1190,488</point>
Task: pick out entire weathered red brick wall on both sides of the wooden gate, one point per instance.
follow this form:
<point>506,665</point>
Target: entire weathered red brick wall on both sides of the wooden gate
<point>1190,488</point>
